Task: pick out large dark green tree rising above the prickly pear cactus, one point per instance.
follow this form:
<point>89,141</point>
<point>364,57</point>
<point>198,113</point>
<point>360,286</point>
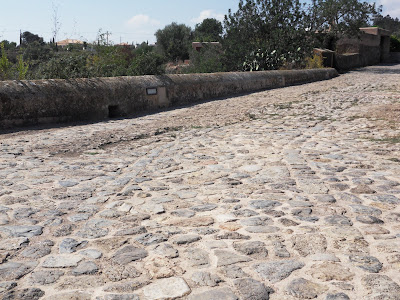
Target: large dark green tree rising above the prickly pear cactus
<point>272,28</point>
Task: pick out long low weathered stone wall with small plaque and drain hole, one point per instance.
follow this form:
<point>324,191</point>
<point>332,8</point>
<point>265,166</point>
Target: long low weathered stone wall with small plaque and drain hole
<point>35,102</point>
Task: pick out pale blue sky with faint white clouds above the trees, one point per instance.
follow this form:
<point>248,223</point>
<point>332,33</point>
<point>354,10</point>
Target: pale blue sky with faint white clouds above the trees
<point>127,20</point>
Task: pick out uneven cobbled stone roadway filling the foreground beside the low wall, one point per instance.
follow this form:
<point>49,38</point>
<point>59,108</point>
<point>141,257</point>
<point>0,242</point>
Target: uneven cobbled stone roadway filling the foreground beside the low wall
<point>291,193</point>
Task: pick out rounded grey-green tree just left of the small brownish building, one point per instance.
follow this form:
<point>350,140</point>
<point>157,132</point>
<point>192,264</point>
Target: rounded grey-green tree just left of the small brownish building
<point>174,41</point>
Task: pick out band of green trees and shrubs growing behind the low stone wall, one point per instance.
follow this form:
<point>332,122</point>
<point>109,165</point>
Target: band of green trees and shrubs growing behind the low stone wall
<point>259,35</point>
